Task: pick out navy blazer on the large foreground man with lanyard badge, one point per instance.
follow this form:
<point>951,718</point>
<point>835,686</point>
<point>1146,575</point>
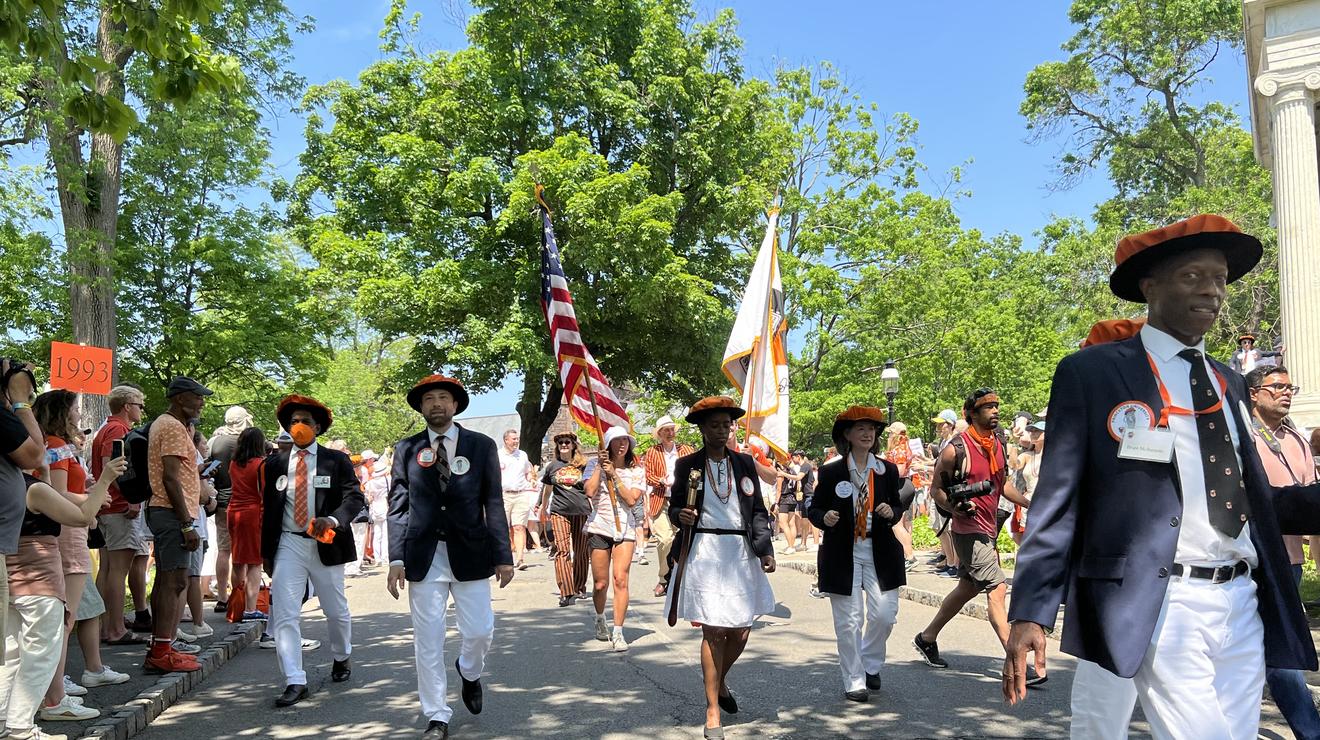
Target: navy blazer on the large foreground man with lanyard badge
<point>1103,531</point>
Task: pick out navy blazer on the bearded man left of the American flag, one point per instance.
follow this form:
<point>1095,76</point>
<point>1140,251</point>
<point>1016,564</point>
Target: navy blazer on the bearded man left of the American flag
<point>469,515</point>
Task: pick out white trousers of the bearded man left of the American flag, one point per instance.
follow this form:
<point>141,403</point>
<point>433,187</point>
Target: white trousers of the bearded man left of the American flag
<point>476,619</point>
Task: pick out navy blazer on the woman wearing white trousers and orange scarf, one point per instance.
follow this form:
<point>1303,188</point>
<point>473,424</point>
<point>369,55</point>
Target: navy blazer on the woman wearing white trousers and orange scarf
<point>835,560</point>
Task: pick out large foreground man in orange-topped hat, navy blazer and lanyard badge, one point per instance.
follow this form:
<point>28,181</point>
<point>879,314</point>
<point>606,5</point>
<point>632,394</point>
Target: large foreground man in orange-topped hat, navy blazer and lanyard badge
<point>1154,515</point>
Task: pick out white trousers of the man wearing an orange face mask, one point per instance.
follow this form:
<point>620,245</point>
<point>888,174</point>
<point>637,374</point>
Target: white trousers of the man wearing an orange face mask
<point>298,563</point>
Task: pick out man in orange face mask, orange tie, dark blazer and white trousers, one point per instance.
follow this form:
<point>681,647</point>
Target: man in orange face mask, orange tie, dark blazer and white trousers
<point>311,498</point>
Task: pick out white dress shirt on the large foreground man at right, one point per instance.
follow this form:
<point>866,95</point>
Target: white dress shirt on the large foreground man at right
<point>1199,544</point>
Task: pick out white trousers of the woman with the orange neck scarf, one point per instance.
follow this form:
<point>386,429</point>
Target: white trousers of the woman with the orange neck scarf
<point>863,651</point>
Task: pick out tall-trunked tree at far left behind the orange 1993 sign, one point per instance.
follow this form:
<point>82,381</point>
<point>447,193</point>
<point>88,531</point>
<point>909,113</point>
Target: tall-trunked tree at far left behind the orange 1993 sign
<point>69,64</point>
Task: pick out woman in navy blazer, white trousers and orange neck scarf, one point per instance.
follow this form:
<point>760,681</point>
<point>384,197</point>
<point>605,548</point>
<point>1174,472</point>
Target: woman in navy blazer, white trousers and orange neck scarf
<point>860,564</point>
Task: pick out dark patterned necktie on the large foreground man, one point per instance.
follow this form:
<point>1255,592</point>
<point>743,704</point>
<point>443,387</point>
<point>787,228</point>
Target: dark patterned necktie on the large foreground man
<point>1226,491</point>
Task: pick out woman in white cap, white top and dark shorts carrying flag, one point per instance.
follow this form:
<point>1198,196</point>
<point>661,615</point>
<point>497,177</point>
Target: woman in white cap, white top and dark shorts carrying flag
<point>612,528</point>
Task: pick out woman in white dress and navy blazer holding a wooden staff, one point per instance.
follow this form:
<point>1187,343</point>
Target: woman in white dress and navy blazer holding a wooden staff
<point>720,580</point>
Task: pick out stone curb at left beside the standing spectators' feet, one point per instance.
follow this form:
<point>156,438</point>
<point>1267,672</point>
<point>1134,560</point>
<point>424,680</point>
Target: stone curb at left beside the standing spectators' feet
<point>133,717</point>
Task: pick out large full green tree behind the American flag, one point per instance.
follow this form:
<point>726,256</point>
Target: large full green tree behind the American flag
<point>418,201</point>
